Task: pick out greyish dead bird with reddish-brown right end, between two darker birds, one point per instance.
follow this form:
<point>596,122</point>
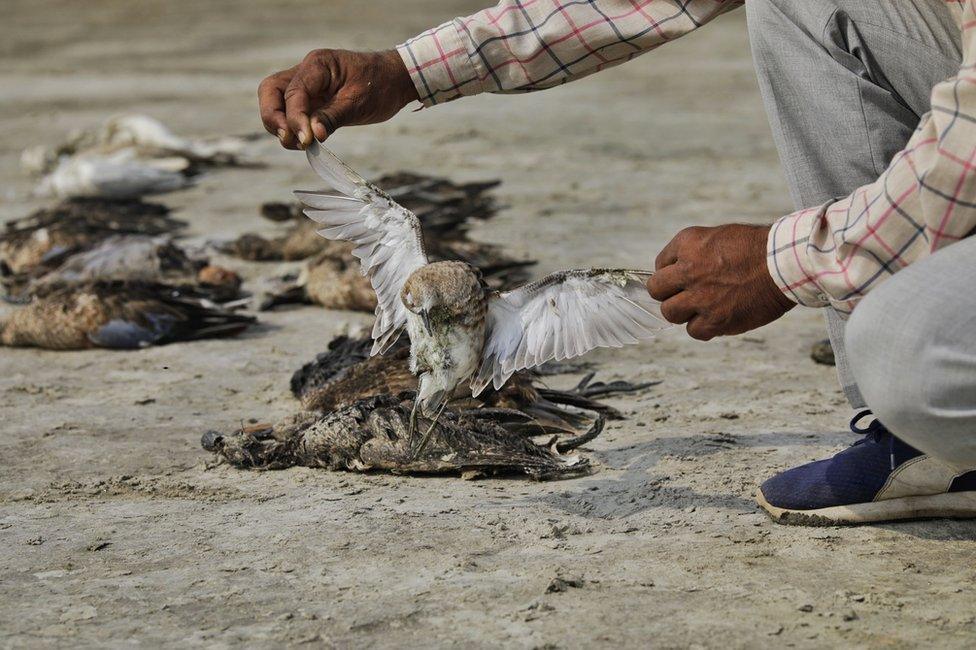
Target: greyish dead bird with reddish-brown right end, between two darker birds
<point>132,258</point>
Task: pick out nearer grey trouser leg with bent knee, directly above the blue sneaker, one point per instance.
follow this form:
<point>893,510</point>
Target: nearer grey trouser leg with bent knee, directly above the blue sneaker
<point>912,344</point>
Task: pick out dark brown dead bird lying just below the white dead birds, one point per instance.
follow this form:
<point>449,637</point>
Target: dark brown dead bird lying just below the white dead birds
<point>48,235</point>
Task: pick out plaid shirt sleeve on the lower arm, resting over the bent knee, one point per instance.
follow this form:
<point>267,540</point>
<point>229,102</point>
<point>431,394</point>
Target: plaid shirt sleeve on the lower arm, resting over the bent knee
<point>836,253</point>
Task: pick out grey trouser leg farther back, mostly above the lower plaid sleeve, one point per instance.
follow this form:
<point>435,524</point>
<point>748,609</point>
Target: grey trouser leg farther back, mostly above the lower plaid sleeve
<point>845,83</point>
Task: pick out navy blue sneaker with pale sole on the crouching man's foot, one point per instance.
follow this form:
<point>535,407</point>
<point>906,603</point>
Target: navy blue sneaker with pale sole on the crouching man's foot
<point>878,478</point>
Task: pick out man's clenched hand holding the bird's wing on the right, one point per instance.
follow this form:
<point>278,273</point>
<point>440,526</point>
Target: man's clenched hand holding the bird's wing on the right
<point>716,281</point>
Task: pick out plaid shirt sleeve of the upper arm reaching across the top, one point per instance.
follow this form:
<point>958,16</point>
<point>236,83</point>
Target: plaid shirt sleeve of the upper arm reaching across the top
<point>525,45</point>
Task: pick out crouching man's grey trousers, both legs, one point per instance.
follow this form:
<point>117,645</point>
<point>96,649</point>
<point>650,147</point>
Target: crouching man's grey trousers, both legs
<point>845,83</point>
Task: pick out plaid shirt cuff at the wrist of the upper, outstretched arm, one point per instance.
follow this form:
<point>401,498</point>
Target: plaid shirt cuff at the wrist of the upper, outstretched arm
<point>439,65</point>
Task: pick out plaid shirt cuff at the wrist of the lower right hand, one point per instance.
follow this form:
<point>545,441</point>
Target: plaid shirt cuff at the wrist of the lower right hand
<point>788,260</point>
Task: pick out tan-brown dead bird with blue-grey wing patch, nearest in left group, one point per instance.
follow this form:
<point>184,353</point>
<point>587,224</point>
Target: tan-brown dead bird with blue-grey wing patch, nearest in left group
<point>118,314</point>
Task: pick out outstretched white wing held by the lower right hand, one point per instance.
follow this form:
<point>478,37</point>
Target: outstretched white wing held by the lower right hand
<point>562,316</point>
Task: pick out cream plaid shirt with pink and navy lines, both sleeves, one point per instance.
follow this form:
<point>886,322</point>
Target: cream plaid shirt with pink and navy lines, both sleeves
<point>829,255</point>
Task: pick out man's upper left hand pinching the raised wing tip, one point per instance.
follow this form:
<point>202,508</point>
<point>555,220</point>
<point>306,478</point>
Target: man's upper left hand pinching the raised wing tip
<point>330,89</point>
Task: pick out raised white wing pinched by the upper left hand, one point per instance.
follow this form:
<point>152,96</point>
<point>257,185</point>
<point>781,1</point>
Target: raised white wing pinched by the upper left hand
<point>388,237</point>
